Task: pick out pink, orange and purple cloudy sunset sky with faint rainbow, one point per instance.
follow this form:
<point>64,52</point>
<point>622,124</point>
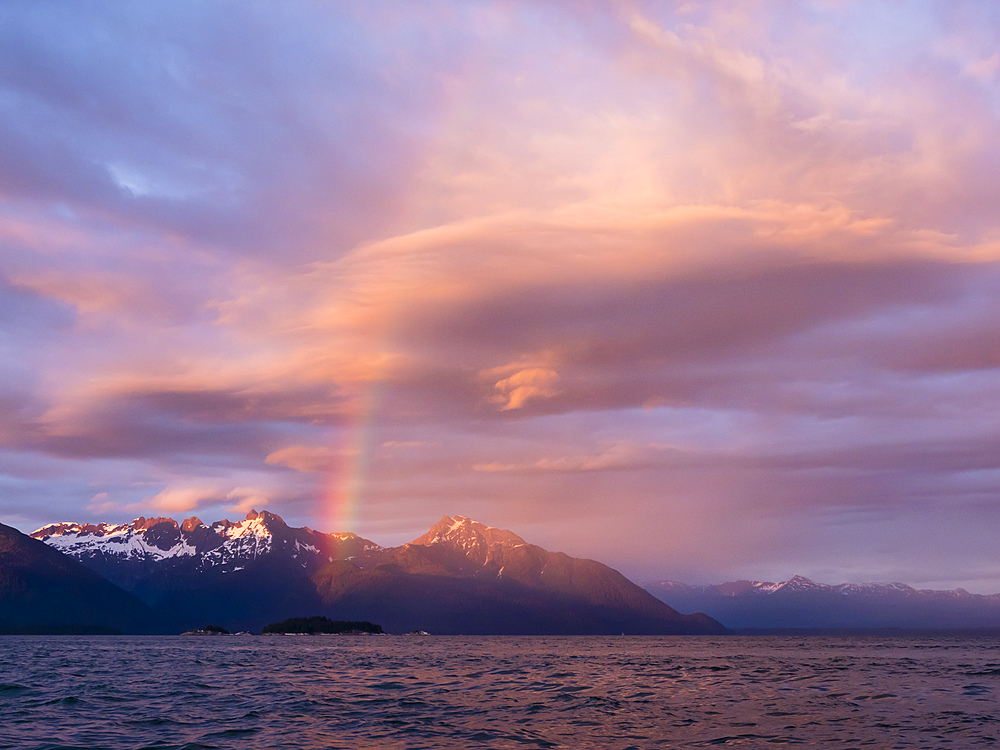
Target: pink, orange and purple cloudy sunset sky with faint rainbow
<point>702,290</point>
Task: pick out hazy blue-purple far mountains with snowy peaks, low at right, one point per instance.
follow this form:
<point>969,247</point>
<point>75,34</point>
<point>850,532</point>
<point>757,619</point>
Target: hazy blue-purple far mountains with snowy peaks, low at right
<point>800,603</point>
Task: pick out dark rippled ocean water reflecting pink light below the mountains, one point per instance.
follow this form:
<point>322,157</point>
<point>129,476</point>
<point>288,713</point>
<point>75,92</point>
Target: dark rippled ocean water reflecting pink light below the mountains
<point>498,692</point>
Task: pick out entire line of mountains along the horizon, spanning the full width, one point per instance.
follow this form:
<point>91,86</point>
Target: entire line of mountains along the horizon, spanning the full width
<point>155,575</point>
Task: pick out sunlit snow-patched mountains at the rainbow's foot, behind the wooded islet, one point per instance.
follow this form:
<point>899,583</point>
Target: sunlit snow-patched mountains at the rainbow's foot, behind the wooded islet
<point>459,577</point>
